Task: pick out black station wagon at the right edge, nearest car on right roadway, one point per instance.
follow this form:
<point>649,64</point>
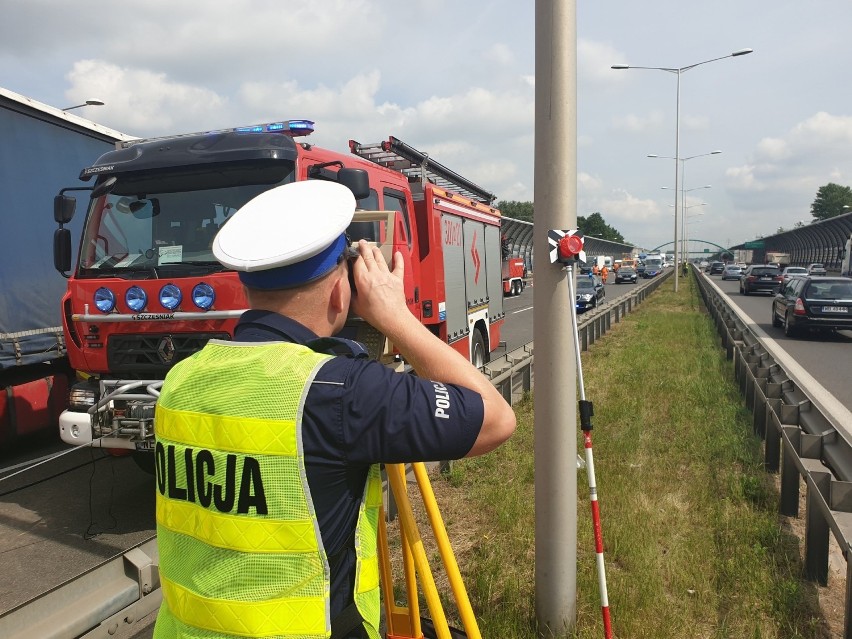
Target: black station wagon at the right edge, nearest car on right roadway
<point>813,302</point>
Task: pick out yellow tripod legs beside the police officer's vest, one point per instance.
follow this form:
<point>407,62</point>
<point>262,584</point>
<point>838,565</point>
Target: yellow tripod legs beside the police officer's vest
<point>403,622</point>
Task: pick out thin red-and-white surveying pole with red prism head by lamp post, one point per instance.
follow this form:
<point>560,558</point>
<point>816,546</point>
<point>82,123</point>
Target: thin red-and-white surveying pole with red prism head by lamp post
<point>567,256</point>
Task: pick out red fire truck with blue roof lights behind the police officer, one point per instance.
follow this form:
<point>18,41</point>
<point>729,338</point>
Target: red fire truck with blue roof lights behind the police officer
<point>147,291</point>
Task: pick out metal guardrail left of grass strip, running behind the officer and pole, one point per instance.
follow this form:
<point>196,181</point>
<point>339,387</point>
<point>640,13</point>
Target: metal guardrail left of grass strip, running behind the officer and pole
<point>111,600</point>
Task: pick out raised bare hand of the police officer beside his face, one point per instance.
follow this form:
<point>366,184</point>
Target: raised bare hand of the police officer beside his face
<point>379,295</point>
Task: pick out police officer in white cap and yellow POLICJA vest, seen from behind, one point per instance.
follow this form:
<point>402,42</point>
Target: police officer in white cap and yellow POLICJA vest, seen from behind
<point>268,447</point>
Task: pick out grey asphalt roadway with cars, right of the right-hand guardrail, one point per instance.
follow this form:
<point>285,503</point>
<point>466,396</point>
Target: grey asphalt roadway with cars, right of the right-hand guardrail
<point>824,356</point>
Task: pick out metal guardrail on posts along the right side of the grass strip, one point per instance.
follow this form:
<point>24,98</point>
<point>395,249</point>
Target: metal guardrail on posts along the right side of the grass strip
<point>805,439</point>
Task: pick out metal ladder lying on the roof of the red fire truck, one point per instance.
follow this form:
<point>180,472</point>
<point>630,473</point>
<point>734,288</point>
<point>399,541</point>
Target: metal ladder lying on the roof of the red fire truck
<point>417,166</point>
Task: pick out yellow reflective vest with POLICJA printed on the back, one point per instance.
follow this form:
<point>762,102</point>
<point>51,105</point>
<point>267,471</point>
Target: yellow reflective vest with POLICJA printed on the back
<point>239,543</point>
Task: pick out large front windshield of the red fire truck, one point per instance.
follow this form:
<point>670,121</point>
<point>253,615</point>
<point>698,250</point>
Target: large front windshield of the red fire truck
<point>151,223</point>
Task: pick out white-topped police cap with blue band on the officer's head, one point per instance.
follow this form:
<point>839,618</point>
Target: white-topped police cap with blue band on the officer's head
<point>287,236</point>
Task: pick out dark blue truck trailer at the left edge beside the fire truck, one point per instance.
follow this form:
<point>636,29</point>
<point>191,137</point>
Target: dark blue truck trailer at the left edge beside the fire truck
<point>41,151</point>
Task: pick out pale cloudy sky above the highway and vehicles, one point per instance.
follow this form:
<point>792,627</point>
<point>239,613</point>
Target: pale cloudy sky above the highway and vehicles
<point>458,80</point>
